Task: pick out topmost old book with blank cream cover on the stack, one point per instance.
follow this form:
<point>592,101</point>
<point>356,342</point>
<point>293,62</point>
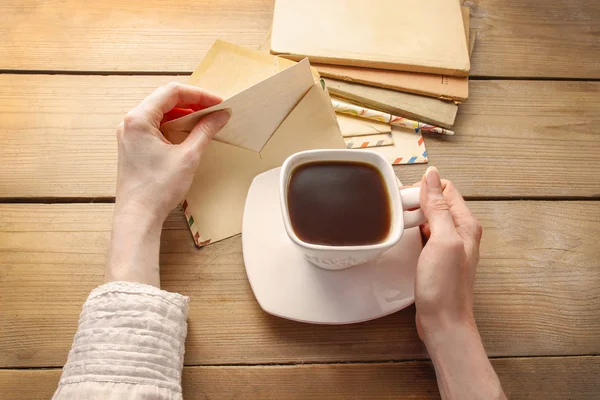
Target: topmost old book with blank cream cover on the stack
<point>404,35</point>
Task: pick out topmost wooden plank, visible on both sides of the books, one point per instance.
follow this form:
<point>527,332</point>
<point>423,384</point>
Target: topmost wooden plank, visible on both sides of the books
<point>514,38</point>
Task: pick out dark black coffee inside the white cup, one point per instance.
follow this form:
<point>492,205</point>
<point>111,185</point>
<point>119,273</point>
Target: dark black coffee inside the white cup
<point>339,203</point>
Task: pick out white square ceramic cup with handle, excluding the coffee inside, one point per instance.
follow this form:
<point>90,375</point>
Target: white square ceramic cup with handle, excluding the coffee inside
<point>401,200</point>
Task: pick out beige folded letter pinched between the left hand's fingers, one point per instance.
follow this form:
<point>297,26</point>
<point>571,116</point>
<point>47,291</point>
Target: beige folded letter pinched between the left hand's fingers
<point>255,112</point>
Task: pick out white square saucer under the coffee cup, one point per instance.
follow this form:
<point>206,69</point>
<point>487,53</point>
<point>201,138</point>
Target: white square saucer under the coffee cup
<point>288,286</point>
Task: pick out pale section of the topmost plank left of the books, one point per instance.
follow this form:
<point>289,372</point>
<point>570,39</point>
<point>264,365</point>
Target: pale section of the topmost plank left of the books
<point>132,36</point>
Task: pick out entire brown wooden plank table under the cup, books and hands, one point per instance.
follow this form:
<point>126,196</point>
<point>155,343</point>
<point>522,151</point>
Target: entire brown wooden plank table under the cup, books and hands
<point>526,155</point>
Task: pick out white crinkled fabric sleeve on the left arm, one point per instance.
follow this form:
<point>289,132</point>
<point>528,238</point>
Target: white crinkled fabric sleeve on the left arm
<point>129,345</point>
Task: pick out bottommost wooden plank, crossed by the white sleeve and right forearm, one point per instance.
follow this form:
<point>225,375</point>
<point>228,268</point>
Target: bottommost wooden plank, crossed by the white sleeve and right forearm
<point>522,378</point>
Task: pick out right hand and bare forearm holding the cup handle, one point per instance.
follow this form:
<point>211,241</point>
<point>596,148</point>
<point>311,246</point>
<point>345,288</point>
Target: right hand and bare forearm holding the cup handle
<point>444,294</point>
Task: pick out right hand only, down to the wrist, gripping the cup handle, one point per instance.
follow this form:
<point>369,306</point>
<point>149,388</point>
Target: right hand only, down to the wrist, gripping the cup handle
<point>446,267</point>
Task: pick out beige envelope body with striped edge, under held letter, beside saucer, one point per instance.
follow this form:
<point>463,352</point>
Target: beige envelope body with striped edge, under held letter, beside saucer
<point>214,205</point>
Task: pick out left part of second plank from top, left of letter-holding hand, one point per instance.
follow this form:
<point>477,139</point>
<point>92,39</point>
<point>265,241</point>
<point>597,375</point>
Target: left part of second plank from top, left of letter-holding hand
<point>68,146</point>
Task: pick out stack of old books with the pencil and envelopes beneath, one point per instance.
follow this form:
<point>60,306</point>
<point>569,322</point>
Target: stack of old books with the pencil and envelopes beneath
<point>394,68</point>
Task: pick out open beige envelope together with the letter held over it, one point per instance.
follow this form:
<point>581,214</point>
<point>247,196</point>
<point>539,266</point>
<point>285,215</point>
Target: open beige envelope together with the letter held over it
<point>277,109</point>
